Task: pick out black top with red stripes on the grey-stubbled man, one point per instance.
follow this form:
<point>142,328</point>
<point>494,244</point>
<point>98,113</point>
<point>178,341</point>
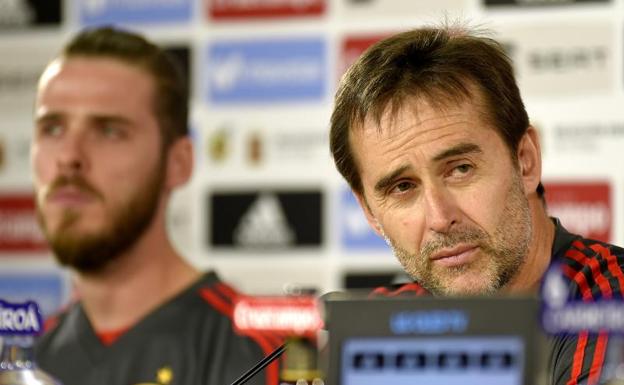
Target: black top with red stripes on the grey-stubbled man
<point>593,270</point>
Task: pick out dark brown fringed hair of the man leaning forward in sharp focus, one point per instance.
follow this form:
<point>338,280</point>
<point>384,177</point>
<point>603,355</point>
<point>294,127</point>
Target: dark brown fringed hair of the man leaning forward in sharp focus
<point>441,65</point>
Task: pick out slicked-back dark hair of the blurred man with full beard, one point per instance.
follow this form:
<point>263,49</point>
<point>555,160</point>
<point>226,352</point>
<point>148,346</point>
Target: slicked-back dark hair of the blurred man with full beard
<point>171,94</point>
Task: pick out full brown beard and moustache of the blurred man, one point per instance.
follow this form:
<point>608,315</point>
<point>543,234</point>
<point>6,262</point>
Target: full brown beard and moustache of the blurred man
<point>92,252</point>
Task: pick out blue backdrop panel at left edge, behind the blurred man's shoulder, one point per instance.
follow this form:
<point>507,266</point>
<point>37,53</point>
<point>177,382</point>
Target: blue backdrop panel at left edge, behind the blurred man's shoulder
<point>49,290</point>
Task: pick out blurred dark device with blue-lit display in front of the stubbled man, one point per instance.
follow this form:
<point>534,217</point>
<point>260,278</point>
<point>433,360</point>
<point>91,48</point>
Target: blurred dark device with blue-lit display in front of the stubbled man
<point>433,341</point>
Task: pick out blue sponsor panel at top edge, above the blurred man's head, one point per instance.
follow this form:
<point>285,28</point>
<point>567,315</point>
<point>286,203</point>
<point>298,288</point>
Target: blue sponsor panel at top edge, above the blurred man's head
<point>94,12</point>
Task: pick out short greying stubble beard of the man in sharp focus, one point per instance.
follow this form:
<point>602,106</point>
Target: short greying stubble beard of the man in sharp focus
<point>502,254</point>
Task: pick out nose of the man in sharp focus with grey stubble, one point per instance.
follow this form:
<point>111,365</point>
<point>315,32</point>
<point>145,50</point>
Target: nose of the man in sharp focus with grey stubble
<point>441,211</point>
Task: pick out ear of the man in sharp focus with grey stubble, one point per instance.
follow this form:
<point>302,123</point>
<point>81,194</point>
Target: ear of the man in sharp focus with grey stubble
<point>530,160</point>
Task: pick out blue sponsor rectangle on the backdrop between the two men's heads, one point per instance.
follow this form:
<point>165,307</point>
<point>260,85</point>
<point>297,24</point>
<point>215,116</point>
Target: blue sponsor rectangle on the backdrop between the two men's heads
<point>265,71</point>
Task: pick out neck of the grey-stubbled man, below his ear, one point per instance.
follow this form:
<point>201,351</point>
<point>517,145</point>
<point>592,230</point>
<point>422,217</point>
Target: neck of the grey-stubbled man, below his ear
<point>538,258</point>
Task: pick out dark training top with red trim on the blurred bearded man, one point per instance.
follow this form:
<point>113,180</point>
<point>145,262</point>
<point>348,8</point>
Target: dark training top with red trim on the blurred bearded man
<point>189,340</point>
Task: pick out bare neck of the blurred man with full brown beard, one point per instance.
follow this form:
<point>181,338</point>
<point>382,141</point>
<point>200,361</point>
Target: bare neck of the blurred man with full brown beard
<point>138,282</point>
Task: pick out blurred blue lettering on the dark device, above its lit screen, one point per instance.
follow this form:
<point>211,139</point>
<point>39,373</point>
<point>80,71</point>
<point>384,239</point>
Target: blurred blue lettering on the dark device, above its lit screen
<point>429,322</point>
